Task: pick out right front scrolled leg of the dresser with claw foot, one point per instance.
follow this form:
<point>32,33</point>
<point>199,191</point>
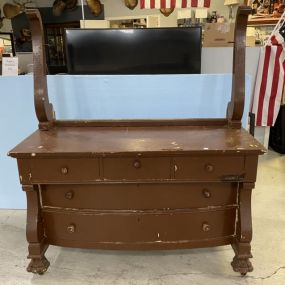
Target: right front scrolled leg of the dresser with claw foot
<point>241,244</point>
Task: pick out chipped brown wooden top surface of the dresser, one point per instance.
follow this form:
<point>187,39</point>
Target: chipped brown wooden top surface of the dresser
<point>100,141</point>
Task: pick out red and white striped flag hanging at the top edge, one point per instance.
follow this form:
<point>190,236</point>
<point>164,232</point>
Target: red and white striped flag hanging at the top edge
<point>160,4</point>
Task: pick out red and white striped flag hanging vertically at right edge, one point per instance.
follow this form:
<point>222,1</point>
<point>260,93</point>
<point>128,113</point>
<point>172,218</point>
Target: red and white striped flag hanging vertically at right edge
<point>270,80</point>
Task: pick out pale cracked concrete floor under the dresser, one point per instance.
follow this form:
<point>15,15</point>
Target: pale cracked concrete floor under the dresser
<point>199,266</point>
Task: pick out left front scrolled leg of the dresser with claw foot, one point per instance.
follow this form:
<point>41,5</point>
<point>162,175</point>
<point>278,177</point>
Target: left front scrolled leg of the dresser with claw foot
<point>35,232</point>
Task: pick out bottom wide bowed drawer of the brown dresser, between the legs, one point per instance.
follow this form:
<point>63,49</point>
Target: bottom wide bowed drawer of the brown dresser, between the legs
<point>120,227</point>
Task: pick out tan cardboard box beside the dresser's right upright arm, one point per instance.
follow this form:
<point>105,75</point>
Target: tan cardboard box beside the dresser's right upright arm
<point>219,35</point>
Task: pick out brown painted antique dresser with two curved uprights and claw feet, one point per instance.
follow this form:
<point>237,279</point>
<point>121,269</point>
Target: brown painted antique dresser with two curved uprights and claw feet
<point>139,184</point>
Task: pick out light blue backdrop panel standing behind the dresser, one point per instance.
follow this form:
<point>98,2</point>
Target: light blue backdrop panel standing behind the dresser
<point>104,97</point>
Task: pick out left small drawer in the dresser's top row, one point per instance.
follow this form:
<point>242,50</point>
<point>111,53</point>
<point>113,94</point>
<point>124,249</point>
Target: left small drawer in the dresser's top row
<point>64,170</point>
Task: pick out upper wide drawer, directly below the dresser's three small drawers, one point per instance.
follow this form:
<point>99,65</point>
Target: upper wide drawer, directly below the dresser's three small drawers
<point>139,196</point>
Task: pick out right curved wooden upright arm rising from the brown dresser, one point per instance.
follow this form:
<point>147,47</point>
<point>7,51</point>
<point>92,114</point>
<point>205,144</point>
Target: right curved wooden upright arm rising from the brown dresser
<point>236,106</point>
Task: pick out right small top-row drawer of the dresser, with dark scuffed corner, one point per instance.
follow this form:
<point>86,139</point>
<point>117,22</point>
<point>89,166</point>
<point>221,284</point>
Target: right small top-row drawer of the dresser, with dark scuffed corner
<point>209,168</point>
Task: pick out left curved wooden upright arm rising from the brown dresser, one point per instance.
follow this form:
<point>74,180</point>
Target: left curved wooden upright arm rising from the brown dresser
<point>43,108</point>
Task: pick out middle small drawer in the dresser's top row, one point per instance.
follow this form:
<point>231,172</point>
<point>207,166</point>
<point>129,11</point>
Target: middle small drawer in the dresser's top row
<point>137,168</point>
